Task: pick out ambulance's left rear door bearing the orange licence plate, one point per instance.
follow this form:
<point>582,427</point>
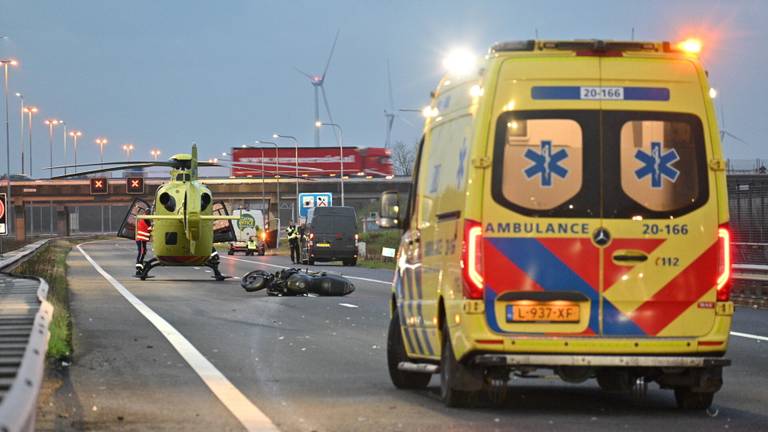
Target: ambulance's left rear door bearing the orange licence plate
<point>542,199</point>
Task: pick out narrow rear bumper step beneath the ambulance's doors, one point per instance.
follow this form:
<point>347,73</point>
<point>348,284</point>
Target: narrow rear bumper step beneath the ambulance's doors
<point>598,361</point>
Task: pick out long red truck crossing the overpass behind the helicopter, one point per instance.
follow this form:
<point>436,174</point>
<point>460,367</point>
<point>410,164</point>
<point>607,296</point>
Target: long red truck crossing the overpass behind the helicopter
<point>313,161</point>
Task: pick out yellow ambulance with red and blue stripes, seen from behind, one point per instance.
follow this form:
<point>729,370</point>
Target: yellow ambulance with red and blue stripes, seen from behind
<point>568,212</point>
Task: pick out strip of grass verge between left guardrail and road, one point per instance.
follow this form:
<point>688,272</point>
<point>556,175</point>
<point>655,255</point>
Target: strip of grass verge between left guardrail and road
<point>50,263</point>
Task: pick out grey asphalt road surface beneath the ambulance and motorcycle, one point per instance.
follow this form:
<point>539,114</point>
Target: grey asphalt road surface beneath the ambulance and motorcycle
<point>313,364</point>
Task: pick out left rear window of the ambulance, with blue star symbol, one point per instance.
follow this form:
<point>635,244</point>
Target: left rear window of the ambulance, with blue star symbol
<point>539,163</point>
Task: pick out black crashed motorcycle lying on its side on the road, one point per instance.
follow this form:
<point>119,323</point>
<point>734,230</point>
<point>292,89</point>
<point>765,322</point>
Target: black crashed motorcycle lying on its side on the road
<point>295,282</point>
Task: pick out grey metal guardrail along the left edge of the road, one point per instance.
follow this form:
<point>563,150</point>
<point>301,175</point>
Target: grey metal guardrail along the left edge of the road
<point>25,315</point>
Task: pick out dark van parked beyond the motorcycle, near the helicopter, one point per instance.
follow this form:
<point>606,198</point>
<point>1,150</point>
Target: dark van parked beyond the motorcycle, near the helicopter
<point>332,235</point>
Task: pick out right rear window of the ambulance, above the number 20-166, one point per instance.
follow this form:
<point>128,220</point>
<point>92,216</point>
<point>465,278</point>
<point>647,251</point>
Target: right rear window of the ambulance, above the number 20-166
<point>662,163</point>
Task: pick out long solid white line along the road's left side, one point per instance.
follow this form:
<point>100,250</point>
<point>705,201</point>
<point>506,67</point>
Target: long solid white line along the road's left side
<point>243,409</point>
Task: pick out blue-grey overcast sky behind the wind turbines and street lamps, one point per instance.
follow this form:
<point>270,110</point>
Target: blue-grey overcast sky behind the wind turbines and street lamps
<point>166,73</point>
